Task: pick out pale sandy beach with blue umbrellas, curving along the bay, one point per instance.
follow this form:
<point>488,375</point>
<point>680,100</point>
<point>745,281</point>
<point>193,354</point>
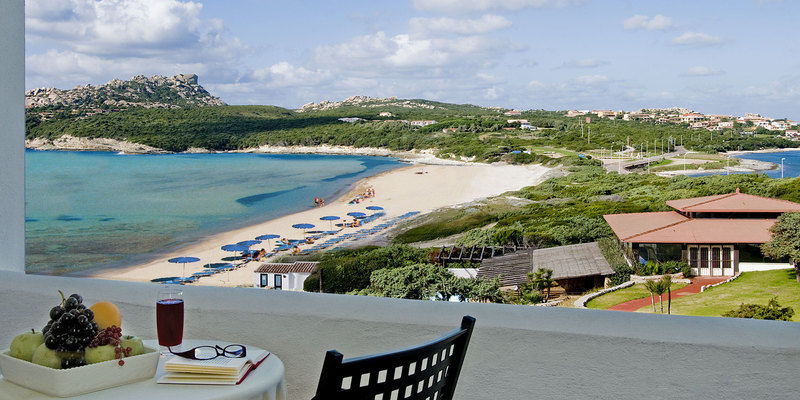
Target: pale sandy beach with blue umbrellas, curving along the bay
<point>398,191</point>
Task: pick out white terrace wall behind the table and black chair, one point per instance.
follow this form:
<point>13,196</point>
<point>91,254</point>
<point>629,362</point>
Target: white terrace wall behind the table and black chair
<point>517,352</point>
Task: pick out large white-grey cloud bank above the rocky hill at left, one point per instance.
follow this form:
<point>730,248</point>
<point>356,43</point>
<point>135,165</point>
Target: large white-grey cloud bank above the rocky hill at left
<point>80,41</point>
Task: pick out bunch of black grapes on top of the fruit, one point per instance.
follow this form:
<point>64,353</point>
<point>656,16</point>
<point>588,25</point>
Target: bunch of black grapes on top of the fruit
<point>71,327</point>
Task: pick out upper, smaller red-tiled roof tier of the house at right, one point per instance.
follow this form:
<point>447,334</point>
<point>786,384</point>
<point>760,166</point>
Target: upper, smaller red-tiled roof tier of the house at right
<point>734,202</point>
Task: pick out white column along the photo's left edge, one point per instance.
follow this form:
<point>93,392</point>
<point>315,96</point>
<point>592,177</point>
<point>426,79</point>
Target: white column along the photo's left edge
<point>12,135</point>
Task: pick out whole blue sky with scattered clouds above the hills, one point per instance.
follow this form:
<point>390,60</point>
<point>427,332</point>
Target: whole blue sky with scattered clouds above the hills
<point>716,57</point>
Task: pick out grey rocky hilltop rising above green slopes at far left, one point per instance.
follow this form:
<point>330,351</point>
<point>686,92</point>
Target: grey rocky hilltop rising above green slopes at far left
<point>150,92</point>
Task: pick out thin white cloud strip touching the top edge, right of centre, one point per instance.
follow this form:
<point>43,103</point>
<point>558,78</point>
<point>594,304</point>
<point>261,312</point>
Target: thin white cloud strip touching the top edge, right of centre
<point>461,6</point>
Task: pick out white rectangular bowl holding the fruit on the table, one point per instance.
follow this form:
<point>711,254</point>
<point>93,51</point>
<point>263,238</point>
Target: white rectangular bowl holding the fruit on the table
<point>80,380</point>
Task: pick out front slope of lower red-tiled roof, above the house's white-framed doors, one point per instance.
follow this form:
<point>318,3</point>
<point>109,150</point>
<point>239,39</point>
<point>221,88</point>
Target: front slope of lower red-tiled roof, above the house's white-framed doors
<point>709,230</point>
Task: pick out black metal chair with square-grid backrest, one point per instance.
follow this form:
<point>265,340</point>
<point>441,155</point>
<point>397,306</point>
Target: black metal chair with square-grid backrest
<point>429,371</point>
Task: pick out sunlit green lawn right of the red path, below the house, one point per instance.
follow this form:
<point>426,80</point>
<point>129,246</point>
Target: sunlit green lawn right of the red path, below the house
<point>752,287</point>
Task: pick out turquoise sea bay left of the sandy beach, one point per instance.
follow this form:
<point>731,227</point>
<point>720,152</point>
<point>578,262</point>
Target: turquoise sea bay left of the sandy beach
<point>87,210</point>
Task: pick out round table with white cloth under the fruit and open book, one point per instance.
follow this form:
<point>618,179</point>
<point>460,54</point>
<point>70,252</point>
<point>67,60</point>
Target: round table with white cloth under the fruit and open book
<point>267,382</point>
